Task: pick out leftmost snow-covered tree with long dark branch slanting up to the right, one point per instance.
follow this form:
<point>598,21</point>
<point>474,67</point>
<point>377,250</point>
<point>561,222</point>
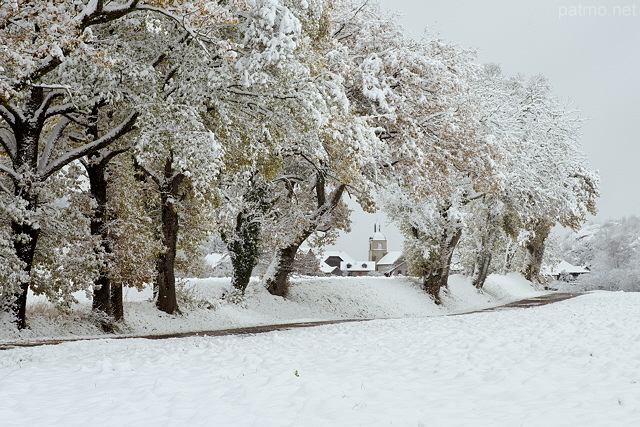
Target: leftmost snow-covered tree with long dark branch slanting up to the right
<point>49,62</point>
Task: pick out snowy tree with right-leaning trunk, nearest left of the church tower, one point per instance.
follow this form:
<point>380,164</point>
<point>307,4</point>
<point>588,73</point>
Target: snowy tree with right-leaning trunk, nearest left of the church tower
<point>319,145</point>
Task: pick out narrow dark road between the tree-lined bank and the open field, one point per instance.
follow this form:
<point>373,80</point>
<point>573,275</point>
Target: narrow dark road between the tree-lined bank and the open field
<point>251,330</point>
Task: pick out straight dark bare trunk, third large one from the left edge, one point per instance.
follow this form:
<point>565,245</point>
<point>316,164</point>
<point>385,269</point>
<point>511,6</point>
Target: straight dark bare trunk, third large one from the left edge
<point>166,279</point>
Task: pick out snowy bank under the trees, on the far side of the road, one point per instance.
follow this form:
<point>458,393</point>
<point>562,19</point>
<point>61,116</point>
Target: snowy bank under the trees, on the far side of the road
<point>204,307</point>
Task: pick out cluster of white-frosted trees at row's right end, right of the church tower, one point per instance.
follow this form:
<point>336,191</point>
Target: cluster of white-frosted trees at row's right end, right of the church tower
<point>503,225</point>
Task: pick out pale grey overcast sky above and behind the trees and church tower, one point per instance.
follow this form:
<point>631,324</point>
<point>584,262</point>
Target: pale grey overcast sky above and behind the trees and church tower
<point>588,50</point>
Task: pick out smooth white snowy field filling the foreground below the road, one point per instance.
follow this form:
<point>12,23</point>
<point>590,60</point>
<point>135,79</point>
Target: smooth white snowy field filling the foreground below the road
<point>573,363</point>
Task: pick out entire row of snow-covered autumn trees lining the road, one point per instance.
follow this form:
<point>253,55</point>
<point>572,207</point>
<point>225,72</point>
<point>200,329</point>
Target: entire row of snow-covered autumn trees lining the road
<point>132,130</point>
